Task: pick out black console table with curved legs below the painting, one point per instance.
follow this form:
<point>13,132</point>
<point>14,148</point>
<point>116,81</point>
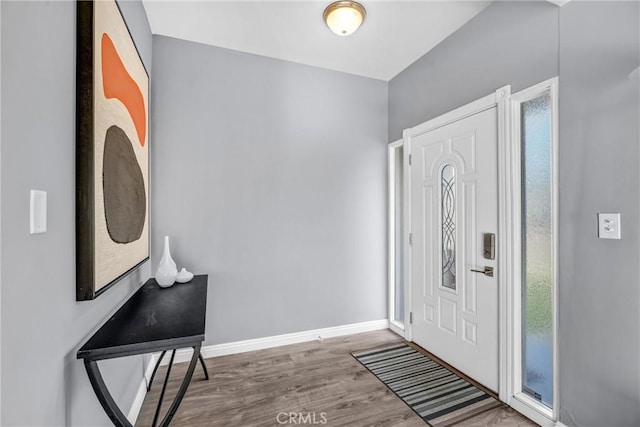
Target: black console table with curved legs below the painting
<point>153,319</point>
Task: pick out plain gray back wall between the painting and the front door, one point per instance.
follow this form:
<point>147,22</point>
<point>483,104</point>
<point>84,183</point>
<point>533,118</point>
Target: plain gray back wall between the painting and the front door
<point>270,177</point>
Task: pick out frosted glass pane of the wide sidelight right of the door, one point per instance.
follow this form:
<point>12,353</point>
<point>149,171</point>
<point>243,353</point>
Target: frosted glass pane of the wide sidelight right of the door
<point>537,247</point>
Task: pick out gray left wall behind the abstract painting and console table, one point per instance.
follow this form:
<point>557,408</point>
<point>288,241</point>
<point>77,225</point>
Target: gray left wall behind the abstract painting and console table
<point>42,324</point>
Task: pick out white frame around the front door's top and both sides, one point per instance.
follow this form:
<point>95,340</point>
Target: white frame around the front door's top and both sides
<point>505,260</point>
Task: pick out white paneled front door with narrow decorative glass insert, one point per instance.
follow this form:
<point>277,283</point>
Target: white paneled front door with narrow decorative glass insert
<point>453,205</point>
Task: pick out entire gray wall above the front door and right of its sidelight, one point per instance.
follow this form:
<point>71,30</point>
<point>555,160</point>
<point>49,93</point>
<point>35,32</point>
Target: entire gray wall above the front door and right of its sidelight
<point>592,47</point>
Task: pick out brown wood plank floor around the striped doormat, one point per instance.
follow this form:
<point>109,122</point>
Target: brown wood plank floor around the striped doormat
<point>251,389</point>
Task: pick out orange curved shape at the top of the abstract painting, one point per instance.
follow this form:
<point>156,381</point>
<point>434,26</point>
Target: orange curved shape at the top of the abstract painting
<point>117,83</point>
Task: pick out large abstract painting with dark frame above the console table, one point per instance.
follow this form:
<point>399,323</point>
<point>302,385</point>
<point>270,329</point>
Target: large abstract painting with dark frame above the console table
<point>112,152</point>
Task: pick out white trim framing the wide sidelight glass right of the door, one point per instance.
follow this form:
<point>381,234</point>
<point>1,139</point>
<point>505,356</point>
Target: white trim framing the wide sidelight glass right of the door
<point>516,398</point>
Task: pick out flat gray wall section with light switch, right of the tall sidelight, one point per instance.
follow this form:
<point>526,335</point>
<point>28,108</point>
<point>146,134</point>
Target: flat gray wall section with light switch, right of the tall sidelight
<point>599,163</point>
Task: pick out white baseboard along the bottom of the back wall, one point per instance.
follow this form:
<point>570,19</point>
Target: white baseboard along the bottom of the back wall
<point>184,355</point>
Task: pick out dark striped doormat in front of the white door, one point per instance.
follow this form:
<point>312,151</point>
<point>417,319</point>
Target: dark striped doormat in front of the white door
<point>440,397</point>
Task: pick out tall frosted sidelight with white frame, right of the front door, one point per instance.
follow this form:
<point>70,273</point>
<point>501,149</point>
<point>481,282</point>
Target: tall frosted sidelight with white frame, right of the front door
<point>535,130</point>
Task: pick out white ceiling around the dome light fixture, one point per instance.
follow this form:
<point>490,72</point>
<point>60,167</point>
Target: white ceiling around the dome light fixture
<point>393,36</point>
